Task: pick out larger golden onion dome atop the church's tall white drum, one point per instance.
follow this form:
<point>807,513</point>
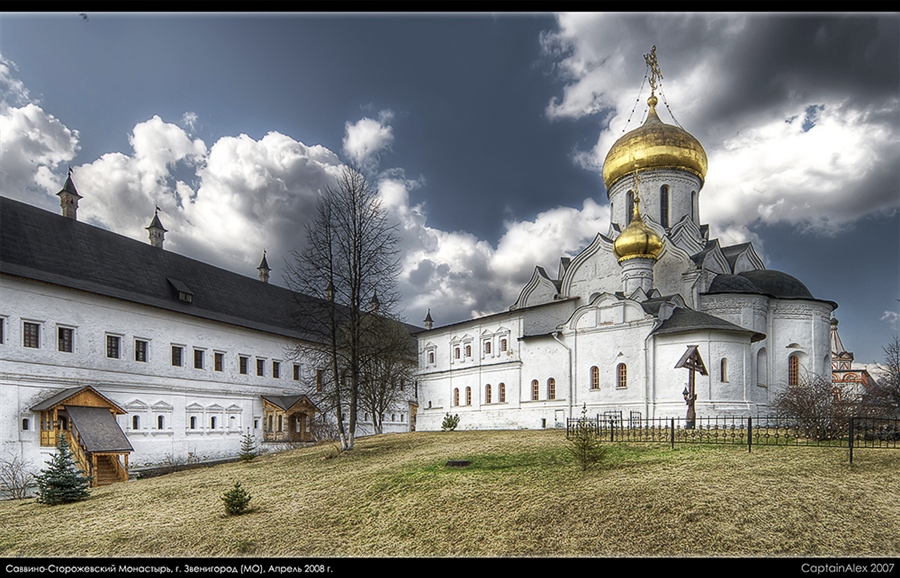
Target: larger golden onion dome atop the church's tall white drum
<point>654,145</point>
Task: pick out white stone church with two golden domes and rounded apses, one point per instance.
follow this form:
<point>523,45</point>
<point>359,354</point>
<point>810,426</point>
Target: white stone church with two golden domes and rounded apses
<point>619,326</point>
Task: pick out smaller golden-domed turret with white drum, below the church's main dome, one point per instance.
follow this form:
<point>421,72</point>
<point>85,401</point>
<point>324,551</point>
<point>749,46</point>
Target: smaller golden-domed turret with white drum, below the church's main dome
<point>637,249</point>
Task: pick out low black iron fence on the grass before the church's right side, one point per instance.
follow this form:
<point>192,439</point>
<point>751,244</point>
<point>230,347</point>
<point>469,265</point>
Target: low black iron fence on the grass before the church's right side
<point>846,432</point>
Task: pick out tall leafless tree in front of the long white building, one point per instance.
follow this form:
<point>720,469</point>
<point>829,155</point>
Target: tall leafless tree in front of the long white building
<point>350,258</point>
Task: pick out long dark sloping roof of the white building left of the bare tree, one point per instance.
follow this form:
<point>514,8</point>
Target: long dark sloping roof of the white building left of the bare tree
<point>43,246</point>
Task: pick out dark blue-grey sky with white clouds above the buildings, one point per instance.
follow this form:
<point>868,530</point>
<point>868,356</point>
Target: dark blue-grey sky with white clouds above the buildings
<point>484,134</point>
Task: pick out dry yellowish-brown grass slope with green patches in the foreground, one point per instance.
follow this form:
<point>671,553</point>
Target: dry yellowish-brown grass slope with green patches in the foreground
<point>523,495</point>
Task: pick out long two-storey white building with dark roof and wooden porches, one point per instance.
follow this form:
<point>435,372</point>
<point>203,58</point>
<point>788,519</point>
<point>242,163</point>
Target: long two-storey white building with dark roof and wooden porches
<point>142,356</point>
